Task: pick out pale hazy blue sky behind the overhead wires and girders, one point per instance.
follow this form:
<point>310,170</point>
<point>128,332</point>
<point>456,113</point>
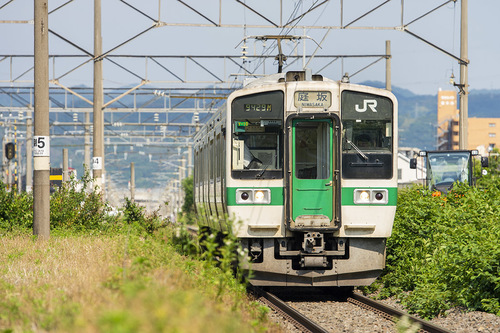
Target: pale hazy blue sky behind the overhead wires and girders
<point>415,65</point>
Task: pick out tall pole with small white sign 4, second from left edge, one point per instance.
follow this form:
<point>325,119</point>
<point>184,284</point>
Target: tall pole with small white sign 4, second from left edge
<point>98,156</point>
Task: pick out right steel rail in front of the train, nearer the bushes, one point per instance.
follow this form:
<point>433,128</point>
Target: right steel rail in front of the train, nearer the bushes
<point>392,313</point>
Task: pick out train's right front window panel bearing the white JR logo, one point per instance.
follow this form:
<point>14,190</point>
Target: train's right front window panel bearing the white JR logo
<point>367,136</point>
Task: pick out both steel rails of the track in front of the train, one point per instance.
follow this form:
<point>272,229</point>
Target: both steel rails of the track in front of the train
<point>305,324</point>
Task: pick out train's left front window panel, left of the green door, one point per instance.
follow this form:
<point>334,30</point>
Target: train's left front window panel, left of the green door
<point>257,136</point>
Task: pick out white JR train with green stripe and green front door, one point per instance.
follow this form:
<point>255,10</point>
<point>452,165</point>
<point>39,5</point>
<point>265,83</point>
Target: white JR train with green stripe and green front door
<point>305,167</point>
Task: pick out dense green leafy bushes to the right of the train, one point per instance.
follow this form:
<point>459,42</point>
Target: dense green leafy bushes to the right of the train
<point>444,249</point>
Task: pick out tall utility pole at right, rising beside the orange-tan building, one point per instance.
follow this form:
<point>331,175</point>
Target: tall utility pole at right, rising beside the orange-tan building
<point>464,81</point>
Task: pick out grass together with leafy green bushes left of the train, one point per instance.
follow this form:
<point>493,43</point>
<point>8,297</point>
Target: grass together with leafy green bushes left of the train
<point>132,273</point>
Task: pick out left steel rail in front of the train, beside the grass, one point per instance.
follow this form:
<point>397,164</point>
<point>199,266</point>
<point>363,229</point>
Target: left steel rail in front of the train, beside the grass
<point>302,322</point>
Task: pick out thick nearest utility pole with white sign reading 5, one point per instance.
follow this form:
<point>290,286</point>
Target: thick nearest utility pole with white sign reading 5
<point>41,141</point>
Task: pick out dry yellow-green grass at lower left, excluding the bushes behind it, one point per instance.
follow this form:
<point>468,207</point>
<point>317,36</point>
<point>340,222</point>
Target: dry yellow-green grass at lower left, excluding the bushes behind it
<point>117,283</point>
